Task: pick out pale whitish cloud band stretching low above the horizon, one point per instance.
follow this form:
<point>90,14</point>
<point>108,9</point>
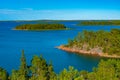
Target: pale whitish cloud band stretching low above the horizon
<point>29,13</point>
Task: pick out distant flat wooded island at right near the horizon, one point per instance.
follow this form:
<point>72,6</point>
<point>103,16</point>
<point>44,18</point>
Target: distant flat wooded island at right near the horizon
<point>100,22</point>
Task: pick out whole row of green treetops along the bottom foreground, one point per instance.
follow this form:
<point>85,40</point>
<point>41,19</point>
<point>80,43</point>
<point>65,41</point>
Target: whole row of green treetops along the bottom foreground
<point>39,69</point>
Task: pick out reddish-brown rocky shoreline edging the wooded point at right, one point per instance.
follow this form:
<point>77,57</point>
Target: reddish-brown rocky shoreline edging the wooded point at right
<point>68,49</point>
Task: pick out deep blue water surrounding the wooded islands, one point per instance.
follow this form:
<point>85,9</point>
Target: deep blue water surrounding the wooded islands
<point>43,43</point>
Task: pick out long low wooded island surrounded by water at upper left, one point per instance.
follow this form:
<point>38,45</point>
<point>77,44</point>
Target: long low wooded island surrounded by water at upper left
<point>40,27</point>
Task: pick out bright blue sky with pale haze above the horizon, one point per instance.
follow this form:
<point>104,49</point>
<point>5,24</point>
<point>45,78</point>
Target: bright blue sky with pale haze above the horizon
<point>59,9</point>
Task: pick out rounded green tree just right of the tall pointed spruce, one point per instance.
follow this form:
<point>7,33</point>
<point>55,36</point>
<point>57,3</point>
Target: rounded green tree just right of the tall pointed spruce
<point>39,68</point>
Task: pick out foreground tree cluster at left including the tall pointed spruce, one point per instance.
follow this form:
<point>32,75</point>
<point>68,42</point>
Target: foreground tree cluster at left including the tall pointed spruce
<point>38,70</point>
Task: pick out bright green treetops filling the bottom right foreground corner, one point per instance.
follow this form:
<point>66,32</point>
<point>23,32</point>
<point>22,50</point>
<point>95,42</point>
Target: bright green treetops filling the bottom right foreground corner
<point>106,70</point>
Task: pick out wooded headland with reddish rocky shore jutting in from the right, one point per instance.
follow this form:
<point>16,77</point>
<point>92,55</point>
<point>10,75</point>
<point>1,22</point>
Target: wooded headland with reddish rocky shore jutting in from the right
<point>99,43</point>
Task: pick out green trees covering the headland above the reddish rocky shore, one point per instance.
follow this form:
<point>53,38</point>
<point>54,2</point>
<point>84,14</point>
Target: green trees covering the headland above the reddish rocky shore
<point>107,42</point>
